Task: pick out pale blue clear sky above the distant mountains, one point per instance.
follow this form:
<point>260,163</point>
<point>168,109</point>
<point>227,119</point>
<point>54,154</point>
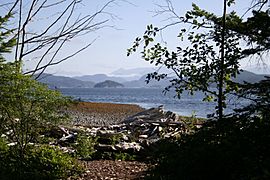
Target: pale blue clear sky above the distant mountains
<point>108,52</point>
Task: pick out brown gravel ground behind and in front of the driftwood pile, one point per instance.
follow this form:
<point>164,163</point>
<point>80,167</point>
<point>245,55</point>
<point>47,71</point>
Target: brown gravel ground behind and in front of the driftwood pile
<point>102,114</point>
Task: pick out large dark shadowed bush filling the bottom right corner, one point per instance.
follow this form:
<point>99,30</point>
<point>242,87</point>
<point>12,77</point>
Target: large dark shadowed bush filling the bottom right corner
<point>235,148</point>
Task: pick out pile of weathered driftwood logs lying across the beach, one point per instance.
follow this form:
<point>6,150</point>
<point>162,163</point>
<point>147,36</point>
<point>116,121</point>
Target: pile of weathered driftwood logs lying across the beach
<point>132,134</point>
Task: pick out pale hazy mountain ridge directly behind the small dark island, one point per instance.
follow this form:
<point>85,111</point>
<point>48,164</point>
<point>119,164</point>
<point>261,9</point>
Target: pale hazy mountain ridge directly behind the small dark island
<point>99,78</point>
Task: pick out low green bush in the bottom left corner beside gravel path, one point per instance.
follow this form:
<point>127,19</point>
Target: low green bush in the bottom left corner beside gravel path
<point>41,162</point>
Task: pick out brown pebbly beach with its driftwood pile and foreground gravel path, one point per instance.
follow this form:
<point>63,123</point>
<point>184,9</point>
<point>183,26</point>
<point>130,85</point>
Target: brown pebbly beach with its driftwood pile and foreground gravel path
<point>135,128</point>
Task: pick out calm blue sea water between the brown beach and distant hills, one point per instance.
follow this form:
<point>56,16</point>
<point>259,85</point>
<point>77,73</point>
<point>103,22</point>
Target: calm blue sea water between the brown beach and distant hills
<point>150,97</point>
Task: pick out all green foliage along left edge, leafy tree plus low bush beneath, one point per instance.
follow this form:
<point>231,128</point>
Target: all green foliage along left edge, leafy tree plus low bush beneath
<point>26,107</point>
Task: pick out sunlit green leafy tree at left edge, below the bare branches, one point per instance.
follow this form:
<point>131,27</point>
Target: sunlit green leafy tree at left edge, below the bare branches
<point>26,105</point>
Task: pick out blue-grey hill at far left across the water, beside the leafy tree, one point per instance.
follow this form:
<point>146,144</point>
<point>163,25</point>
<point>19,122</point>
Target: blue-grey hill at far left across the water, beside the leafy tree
<point>63,82</point>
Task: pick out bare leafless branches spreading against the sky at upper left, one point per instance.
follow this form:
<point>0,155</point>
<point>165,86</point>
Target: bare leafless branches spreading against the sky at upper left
<point>44,28</point>
